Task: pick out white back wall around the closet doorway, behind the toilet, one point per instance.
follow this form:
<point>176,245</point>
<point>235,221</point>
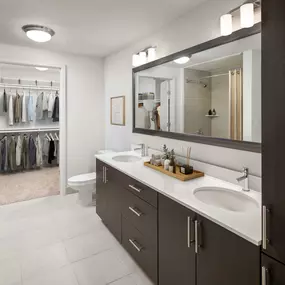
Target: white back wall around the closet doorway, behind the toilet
<point>85,101</point>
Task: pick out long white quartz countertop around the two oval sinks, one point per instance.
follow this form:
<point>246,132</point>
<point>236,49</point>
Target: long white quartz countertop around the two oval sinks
<point>245,224</point>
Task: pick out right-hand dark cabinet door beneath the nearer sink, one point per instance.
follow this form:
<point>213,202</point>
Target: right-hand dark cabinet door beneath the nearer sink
<point>224,258</point>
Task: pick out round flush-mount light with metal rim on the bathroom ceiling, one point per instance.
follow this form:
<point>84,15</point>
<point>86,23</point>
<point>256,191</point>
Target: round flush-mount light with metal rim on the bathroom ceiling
<point>38,33</point>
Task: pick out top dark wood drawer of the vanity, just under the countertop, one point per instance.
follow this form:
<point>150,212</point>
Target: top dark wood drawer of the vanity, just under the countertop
<point>141,191</point>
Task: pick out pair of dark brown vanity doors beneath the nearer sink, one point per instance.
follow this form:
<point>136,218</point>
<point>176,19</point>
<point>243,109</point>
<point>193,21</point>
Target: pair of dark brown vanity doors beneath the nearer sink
<point>194,250</point>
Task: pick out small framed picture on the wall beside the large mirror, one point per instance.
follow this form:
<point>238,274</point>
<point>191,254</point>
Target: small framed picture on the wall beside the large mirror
<point>118,111</point>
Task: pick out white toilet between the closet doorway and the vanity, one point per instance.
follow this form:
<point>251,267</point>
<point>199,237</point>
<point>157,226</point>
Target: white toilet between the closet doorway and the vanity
<point>85,184</point>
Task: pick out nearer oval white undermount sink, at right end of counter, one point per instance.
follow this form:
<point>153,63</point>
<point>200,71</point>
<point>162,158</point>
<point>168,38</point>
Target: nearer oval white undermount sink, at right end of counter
<point>226,199</point>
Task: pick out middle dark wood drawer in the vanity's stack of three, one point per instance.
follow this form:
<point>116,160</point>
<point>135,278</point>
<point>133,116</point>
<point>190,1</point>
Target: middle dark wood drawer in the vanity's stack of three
<point>141,214</point>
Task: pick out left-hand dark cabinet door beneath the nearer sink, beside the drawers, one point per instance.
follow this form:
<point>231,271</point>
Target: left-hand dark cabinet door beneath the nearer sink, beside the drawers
<point>176,252</point>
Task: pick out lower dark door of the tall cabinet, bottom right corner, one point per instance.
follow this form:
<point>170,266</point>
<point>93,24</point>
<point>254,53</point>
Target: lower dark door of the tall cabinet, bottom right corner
<point>273,272</point>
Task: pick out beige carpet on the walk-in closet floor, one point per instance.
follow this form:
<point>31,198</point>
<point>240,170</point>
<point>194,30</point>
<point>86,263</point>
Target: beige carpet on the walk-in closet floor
<point>24,186</point>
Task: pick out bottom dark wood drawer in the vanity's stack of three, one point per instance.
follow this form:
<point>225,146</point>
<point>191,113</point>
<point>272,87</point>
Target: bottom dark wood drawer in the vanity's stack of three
<point>141,248</point>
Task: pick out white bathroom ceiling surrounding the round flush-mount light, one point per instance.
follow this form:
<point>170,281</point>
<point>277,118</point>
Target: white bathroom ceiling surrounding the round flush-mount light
<point>89,27</point>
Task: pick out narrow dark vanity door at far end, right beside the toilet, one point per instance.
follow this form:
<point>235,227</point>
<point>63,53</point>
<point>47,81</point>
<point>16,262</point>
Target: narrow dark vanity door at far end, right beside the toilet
<point>101,191</point>
